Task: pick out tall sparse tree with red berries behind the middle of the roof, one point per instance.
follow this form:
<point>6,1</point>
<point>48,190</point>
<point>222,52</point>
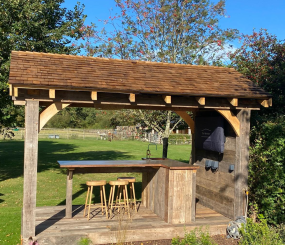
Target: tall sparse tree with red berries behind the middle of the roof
<point>173,31</point>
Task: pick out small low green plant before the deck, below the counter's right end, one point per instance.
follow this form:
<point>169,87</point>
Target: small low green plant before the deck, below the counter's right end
<point>195,237</point>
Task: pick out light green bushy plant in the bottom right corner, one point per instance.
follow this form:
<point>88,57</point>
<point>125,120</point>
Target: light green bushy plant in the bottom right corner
<point>259,234</point>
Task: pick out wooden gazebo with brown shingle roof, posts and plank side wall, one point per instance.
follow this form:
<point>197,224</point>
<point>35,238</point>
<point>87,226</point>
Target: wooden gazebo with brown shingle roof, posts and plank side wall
<point>56,81</point>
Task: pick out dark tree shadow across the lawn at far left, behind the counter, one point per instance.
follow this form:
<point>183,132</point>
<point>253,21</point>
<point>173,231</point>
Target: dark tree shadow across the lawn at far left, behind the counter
<point>49,153</point>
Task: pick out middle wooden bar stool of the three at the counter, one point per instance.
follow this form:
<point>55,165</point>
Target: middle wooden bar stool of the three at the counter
<point>122,189</point>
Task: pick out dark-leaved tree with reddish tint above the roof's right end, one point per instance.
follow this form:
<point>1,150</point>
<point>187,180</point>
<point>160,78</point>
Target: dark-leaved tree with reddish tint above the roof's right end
<point>261,59</point>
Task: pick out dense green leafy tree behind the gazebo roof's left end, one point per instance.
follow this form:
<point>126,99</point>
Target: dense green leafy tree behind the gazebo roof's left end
<point>34,25</point>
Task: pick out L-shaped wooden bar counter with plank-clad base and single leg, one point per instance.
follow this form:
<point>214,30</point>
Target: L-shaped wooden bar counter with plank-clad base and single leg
<point>168,186</point>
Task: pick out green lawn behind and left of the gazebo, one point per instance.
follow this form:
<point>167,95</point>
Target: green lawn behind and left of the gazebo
<point>51,180</point>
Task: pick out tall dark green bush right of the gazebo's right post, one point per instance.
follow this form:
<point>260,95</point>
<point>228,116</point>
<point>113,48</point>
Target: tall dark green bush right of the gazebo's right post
<point>267,171</point>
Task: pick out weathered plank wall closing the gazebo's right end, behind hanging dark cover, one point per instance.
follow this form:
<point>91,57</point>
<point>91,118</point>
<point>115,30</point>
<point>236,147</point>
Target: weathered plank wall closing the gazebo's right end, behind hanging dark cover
<point>216,189</point>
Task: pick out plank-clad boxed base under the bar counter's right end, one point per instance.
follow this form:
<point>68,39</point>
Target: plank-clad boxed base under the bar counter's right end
<point>170,194</point>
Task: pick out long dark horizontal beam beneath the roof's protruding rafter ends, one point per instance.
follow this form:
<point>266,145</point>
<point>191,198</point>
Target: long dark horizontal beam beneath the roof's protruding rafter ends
<point>148,101</point>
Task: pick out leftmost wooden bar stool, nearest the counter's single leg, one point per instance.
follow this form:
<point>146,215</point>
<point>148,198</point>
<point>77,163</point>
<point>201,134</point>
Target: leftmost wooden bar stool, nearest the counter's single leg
<point>90,185</point>
